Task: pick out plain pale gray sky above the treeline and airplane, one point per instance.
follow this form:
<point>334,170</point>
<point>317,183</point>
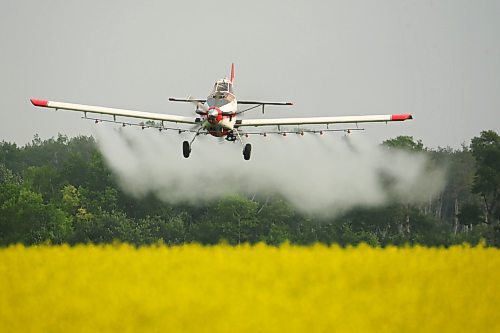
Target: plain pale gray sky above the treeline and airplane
<point>439,60</point>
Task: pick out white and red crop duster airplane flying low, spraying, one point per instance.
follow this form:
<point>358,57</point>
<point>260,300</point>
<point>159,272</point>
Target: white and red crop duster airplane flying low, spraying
<point>217,115</point>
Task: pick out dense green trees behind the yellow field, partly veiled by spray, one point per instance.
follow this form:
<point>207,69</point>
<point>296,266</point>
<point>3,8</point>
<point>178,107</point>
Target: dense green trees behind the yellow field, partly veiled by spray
<point>60,190</point>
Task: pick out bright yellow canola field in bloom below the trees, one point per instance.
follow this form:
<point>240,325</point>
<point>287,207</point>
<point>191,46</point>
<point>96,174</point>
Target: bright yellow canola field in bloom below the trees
<point>119,288</point>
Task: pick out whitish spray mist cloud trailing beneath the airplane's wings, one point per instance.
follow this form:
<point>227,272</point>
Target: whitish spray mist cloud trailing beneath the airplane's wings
<point>321,175</point>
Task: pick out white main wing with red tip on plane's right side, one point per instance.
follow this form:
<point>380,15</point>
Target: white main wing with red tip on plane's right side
<point>322,120</point>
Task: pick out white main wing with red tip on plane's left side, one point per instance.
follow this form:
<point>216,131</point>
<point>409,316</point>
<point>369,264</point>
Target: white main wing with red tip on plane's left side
<point>113,112</point>
